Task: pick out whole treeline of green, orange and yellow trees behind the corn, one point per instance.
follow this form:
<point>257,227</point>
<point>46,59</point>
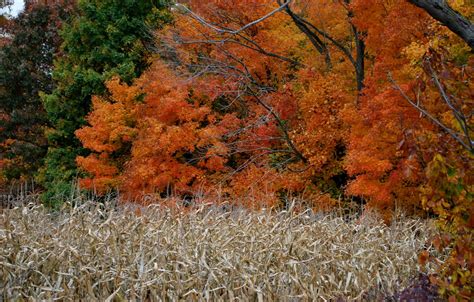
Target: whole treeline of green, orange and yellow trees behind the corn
<point>253,102</point>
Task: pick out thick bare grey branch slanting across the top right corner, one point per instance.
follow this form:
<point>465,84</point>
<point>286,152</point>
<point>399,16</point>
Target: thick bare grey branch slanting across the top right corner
<point>457,23</point>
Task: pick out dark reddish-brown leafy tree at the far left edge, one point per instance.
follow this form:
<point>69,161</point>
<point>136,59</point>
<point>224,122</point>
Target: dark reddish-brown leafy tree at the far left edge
<point>26,63</point>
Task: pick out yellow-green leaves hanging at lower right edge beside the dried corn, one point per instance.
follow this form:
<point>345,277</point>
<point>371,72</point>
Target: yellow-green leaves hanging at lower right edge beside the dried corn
<point>447,194</point>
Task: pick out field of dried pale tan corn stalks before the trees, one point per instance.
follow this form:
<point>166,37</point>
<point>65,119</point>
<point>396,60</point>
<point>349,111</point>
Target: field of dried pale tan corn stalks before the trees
<point>92,253</point>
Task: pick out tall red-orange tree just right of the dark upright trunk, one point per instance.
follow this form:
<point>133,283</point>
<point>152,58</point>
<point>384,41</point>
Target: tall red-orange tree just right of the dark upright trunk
<point>383,153</point>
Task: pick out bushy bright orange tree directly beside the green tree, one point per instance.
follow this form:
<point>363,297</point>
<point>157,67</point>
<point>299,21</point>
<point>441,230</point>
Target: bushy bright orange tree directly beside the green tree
<point>152,136</point>
